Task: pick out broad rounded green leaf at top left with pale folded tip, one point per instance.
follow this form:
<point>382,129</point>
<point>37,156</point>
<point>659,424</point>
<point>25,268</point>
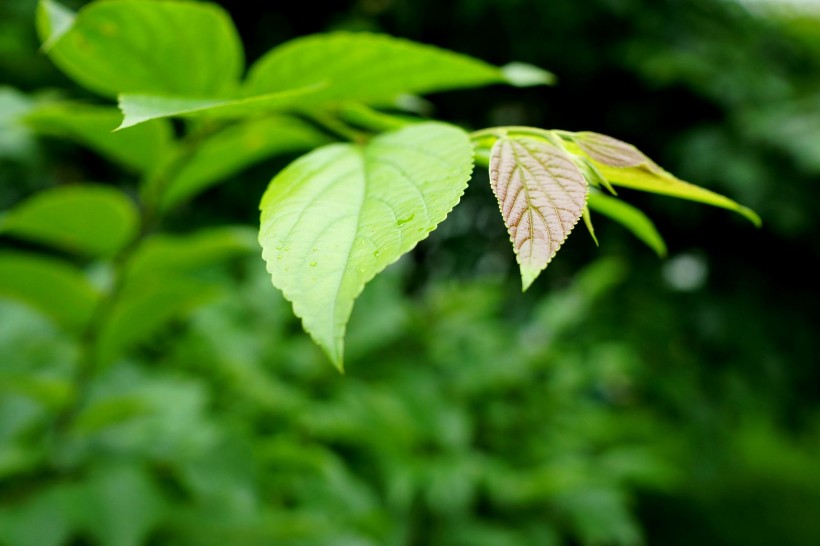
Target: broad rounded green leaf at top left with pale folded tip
<point>138,46</point>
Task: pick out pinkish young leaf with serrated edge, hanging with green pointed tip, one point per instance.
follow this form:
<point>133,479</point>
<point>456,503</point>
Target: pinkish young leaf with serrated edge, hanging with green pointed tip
<point>542,195</point>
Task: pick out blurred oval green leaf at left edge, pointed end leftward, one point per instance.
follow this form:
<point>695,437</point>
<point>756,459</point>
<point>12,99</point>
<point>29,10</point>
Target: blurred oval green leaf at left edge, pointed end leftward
<point>91,220</point>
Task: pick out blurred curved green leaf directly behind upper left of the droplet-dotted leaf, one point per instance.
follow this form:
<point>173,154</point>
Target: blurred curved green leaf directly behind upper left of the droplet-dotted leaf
<point>236,148</point>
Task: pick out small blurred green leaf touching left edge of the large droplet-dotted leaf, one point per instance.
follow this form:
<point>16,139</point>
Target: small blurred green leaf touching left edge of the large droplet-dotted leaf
<point>163,255</point>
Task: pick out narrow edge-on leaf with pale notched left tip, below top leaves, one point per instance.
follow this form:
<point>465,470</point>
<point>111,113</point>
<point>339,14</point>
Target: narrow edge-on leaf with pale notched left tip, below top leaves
<point>138,108</point>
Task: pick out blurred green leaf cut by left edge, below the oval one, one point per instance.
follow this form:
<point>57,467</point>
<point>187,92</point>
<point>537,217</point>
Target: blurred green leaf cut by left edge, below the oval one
<point>56,289</point>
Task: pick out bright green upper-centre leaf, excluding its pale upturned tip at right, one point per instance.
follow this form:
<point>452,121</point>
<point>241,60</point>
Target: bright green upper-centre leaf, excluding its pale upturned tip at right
<point>370,68</point>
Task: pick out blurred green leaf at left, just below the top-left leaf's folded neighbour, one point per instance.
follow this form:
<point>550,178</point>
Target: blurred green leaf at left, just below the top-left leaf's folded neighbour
<point>141,149</point>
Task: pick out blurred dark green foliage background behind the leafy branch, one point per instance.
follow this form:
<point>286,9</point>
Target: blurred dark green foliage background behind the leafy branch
<point>622,400</point>
